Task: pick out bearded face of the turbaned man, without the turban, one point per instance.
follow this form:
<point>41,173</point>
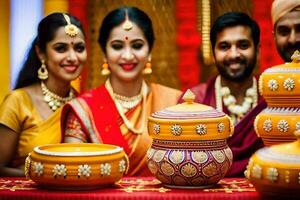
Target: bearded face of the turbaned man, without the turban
<point>287,35</point>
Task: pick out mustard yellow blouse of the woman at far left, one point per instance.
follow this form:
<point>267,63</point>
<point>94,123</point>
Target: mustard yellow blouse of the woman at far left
<point>18,113</point>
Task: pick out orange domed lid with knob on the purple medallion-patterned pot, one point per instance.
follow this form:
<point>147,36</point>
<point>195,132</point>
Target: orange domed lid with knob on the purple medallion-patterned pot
<point>189,121</point>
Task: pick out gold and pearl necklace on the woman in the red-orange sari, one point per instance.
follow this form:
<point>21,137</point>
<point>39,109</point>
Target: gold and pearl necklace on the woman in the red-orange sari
<point>122,111</point>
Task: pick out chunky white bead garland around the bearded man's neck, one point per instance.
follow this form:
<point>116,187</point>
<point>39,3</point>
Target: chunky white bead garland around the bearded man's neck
<point>236,111</point>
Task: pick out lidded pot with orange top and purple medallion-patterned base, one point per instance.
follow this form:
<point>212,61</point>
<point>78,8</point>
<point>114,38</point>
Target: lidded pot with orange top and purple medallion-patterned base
<point>189,146</point>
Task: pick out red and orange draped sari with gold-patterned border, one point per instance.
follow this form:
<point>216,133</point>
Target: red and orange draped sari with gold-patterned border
<point>101,122</point>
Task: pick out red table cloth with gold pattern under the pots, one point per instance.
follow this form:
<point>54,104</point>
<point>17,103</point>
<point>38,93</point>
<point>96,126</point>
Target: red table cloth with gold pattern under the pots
<point>137,188</point>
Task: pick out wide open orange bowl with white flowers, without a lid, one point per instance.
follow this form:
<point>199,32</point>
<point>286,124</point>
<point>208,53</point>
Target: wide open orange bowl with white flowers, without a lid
<point>76,166</point>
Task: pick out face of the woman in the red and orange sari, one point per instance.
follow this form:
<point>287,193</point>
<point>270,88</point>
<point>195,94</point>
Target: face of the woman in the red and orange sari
<point>127,53</point>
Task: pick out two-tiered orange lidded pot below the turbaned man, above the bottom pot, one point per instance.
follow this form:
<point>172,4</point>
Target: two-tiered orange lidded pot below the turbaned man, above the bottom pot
<point>280,86</point>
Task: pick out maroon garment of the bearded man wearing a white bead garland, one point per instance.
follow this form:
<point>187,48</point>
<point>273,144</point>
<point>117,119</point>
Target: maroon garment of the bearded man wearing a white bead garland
<point>244,142</point>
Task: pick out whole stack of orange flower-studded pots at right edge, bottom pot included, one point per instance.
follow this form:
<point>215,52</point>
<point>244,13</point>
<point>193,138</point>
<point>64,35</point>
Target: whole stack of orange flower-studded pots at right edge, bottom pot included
<point>275,170</point>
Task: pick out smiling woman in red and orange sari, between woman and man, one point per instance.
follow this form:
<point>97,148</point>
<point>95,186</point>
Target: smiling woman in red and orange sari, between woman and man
<point>116,112</point>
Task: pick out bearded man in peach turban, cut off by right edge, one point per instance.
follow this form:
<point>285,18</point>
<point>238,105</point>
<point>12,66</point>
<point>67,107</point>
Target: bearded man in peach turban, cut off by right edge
<point>286,21</point>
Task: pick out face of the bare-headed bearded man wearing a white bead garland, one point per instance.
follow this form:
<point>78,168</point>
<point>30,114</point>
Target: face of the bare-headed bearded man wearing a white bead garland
<point>235,53</point>
